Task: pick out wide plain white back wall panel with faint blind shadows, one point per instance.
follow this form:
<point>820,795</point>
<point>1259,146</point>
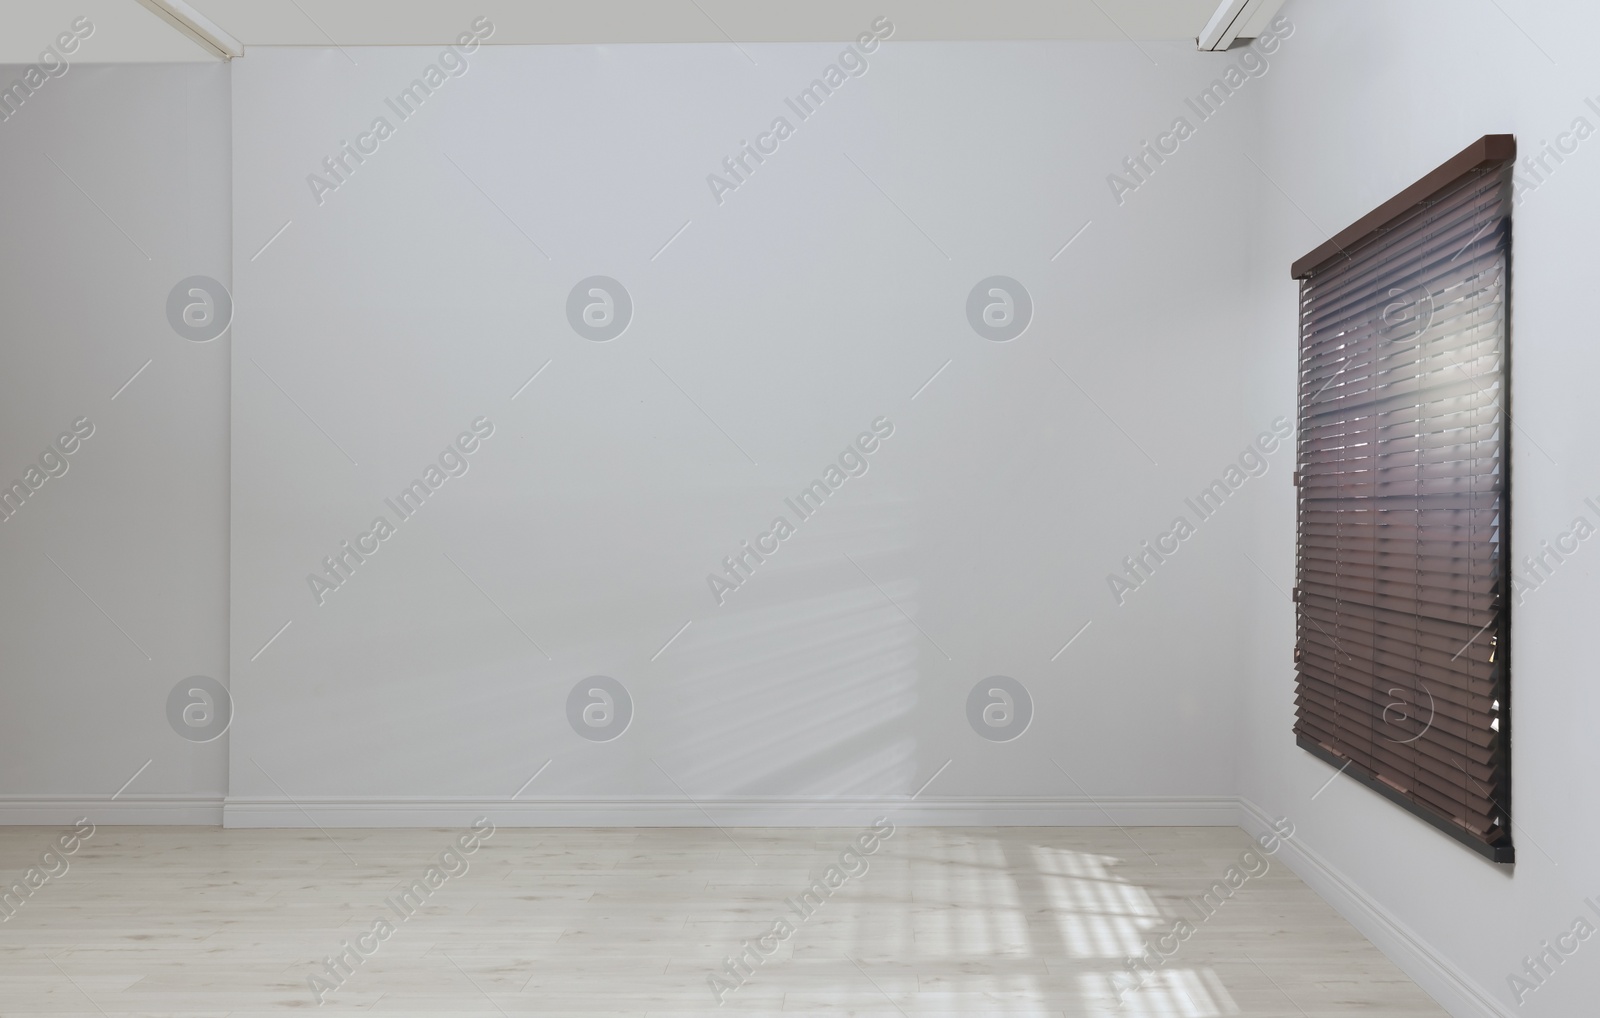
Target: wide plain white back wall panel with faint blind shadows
<point>818,297</point>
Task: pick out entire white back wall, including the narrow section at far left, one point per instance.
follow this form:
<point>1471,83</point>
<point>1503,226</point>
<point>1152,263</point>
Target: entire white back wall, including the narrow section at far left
<point>815,300</point>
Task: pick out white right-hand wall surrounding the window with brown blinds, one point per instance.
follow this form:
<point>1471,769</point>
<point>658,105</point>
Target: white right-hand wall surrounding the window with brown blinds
<point>1377,95</point>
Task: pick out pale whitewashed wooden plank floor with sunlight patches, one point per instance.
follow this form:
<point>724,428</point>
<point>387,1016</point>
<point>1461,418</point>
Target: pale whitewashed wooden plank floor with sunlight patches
<point>946,921</point>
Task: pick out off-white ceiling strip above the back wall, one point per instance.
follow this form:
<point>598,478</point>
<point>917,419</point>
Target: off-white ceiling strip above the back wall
<point>127,31</point>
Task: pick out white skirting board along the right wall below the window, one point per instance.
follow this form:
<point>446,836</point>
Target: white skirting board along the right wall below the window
<point>1438,976</point>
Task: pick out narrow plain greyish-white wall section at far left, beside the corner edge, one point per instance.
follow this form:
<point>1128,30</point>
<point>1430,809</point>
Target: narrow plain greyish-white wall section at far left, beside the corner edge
<point>118,188</point>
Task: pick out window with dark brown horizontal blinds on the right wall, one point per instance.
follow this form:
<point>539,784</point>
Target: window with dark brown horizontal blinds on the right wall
<point>1404,487</point>
